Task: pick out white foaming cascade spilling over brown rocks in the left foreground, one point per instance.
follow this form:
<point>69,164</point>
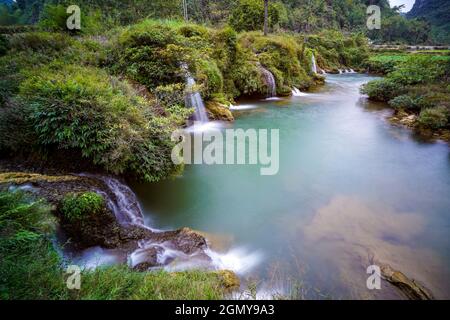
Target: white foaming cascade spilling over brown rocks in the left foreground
<point>123,203</point>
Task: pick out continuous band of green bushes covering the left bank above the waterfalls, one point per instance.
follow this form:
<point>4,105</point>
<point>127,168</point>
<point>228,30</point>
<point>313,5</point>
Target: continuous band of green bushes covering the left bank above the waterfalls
<point>114,101</point>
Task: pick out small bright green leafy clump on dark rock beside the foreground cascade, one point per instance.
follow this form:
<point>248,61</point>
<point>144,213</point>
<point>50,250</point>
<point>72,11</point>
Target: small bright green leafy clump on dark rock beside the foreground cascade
<point>77,207</point>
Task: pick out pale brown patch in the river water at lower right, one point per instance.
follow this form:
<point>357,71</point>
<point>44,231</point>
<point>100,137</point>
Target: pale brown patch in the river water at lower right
<point>354,234</point>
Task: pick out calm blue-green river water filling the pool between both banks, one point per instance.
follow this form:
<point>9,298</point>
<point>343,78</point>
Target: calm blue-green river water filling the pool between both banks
<point>352,190</point>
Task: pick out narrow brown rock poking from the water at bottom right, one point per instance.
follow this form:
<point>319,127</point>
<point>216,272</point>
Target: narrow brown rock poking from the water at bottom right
<point>410,287</point>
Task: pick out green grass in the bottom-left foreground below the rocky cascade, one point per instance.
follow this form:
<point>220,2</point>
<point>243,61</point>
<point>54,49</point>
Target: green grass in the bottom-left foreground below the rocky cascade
<point>30,267</point>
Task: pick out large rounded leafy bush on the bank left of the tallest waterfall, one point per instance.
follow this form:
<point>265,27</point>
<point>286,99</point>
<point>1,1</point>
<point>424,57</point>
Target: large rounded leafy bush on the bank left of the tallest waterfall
<point>84,109</point>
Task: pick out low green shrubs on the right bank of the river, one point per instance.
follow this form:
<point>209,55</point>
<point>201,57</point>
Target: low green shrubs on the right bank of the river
<point>415,84</point>
